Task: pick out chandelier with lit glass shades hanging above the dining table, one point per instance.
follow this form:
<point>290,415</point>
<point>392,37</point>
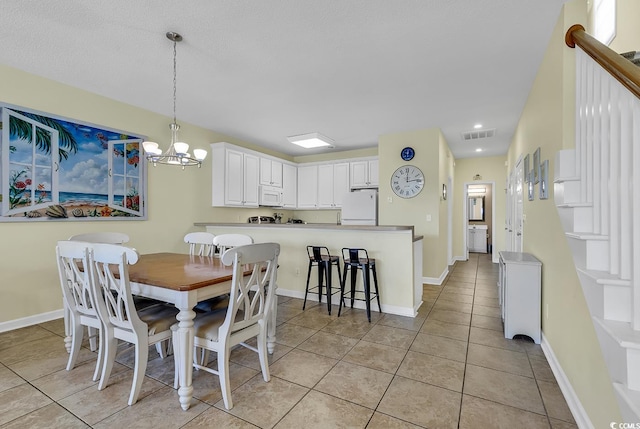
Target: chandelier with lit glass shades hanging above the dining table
<point>178,152</point>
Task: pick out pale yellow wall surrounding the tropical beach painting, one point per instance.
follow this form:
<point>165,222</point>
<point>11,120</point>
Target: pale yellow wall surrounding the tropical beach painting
<point>177,198</point>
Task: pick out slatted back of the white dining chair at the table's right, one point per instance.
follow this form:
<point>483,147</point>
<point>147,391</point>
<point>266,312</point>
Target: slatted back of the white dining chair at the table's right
<point>252,295</point>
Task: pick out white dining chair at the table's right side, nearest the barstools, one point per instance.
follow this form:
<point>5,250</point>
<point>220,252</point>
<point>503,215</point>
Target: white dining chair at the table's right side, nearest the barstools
<point>246,317</point>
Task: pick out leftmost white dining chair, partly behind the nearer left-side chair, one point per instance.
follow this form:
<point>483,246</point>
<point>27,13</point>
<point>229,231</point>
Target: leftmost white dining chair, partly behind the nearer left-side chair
<point>72,257</point>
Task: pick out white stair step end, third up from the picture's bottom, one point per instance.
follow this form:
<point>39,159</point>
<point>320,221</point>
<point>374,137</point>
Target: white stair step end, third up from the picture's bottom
<point>608,296</point>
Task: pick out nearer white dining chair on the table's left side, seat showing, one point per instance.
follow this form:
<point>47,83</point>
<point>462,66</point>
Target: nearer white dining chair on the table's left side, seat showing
<point>121,320</point>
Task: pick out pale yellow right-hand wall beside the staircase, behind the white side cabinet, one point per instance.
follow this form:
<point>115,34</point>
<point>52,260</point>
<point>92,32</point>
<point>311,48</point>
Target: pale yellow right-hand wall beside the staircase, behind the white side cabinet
<point>548,122</point>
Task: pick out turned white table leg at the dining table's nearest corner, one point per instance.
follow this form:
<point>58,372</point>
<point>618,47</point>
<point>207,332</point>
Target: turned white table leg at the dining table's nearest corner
<point>185,366</point>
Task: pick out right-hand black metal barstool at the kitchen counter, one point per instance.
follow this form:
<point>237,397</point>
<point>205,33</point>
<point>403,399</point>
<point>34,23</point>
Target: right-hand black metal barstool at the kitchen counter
<point>354,260</point>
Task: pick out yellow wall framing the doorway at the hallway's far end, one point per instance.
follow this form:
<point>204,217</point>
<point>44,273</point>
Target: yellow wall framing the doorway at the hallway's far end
<point>492,170</point>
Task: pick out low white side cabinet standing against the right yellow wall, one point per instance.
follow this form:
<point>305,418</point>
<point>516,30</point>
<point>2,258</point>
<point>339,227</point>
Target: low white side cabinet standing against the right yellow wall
<point>519,292</point>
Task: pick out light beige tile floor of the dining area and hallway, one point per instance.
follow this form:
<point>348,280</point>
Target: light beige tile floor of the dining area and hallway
<point>450,367</point>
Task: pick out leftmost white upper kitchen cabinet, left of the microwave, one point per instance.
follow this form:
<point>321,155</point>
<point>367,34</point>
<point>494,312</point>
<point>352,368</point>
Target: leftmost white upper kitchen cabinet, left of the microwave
<point>234,177</point>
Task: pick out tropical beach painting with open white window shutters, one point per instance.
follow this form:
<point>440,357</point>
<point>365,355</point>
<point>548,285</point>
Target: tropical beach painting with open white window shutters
<point>53,168</point>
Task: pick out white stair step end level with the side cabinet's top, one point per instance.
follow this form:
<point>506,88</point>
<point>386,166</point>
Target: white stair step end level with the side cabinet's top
<point>590,251</point>
